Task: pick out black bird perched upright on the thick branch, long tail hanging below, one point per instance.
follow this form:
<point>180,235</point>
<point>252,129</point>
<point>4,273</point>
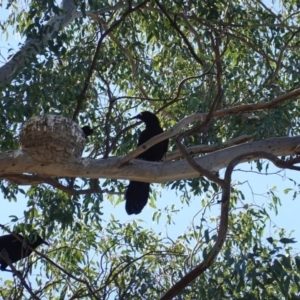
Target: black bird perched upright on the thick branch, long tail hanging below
<point>138,192</point>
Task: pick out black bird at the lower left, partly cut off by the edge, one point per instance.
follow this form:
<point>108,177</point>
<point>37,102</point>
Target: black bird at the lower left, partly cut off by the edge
<point>16,250</point>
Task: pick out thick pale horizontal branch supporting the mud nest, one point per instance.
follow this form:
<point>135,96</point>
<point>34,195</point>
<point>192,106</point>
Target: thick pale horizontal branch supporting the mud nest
<point>19,162</point>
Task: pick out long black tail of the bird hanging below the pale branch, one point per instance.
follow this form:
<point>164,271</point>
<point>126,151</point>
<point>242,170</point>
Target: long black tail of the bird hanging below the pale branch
<point>136,196</point>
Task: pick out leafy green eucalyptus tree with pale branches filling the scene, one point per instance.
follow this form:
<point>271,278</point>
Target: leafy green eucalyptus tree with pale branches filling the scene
<point>223,78</point>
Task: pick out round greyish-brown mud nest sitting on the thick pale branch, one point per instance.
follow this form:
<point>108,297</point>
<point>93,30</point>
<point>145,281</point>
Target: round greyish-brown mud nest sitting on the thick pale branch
<point>51,138</point>
